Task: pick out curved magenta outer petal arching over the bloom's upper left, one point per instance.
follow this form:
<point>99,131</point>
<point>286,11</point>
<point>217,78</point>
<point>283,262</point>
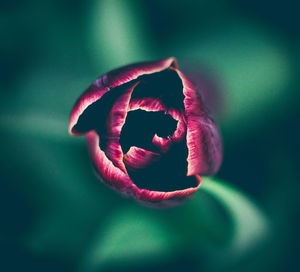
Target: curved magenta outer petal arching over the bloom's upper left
<point>113,79</point>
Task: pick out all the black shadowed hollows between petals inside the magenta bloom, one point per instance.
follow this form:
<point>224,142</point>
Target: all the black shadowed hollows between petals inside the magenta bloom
<point>168,173</point>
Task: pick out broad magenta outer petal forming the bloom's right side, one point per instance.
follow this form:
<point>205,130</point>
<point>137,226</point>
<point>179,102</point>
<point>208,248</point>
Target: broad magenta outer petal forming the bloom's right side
<point>203,139</point>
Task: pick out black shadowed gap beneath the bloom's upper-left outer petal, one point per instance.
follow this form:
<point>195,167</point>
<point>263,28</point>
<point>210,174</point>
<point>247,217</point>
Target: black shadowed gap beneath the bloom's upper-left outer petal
<point>165,86</point>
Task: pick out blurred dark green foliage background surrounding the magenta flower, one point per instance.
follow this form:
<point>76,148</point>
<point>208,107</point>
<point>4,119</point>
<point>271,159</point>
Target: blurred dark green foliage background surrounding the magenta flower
<point>55,214</point>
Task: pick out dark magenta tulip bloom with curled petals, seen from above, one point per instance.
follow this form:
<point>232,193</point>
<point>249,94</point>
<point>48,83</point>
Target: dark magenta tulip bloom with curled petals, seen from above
<point>148,133</point>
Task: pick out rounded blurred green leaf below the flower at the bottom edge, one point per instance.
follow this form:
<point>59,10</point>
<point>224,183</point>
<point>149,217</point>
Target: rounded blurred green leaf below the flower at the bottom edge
<point>130,237</point>
